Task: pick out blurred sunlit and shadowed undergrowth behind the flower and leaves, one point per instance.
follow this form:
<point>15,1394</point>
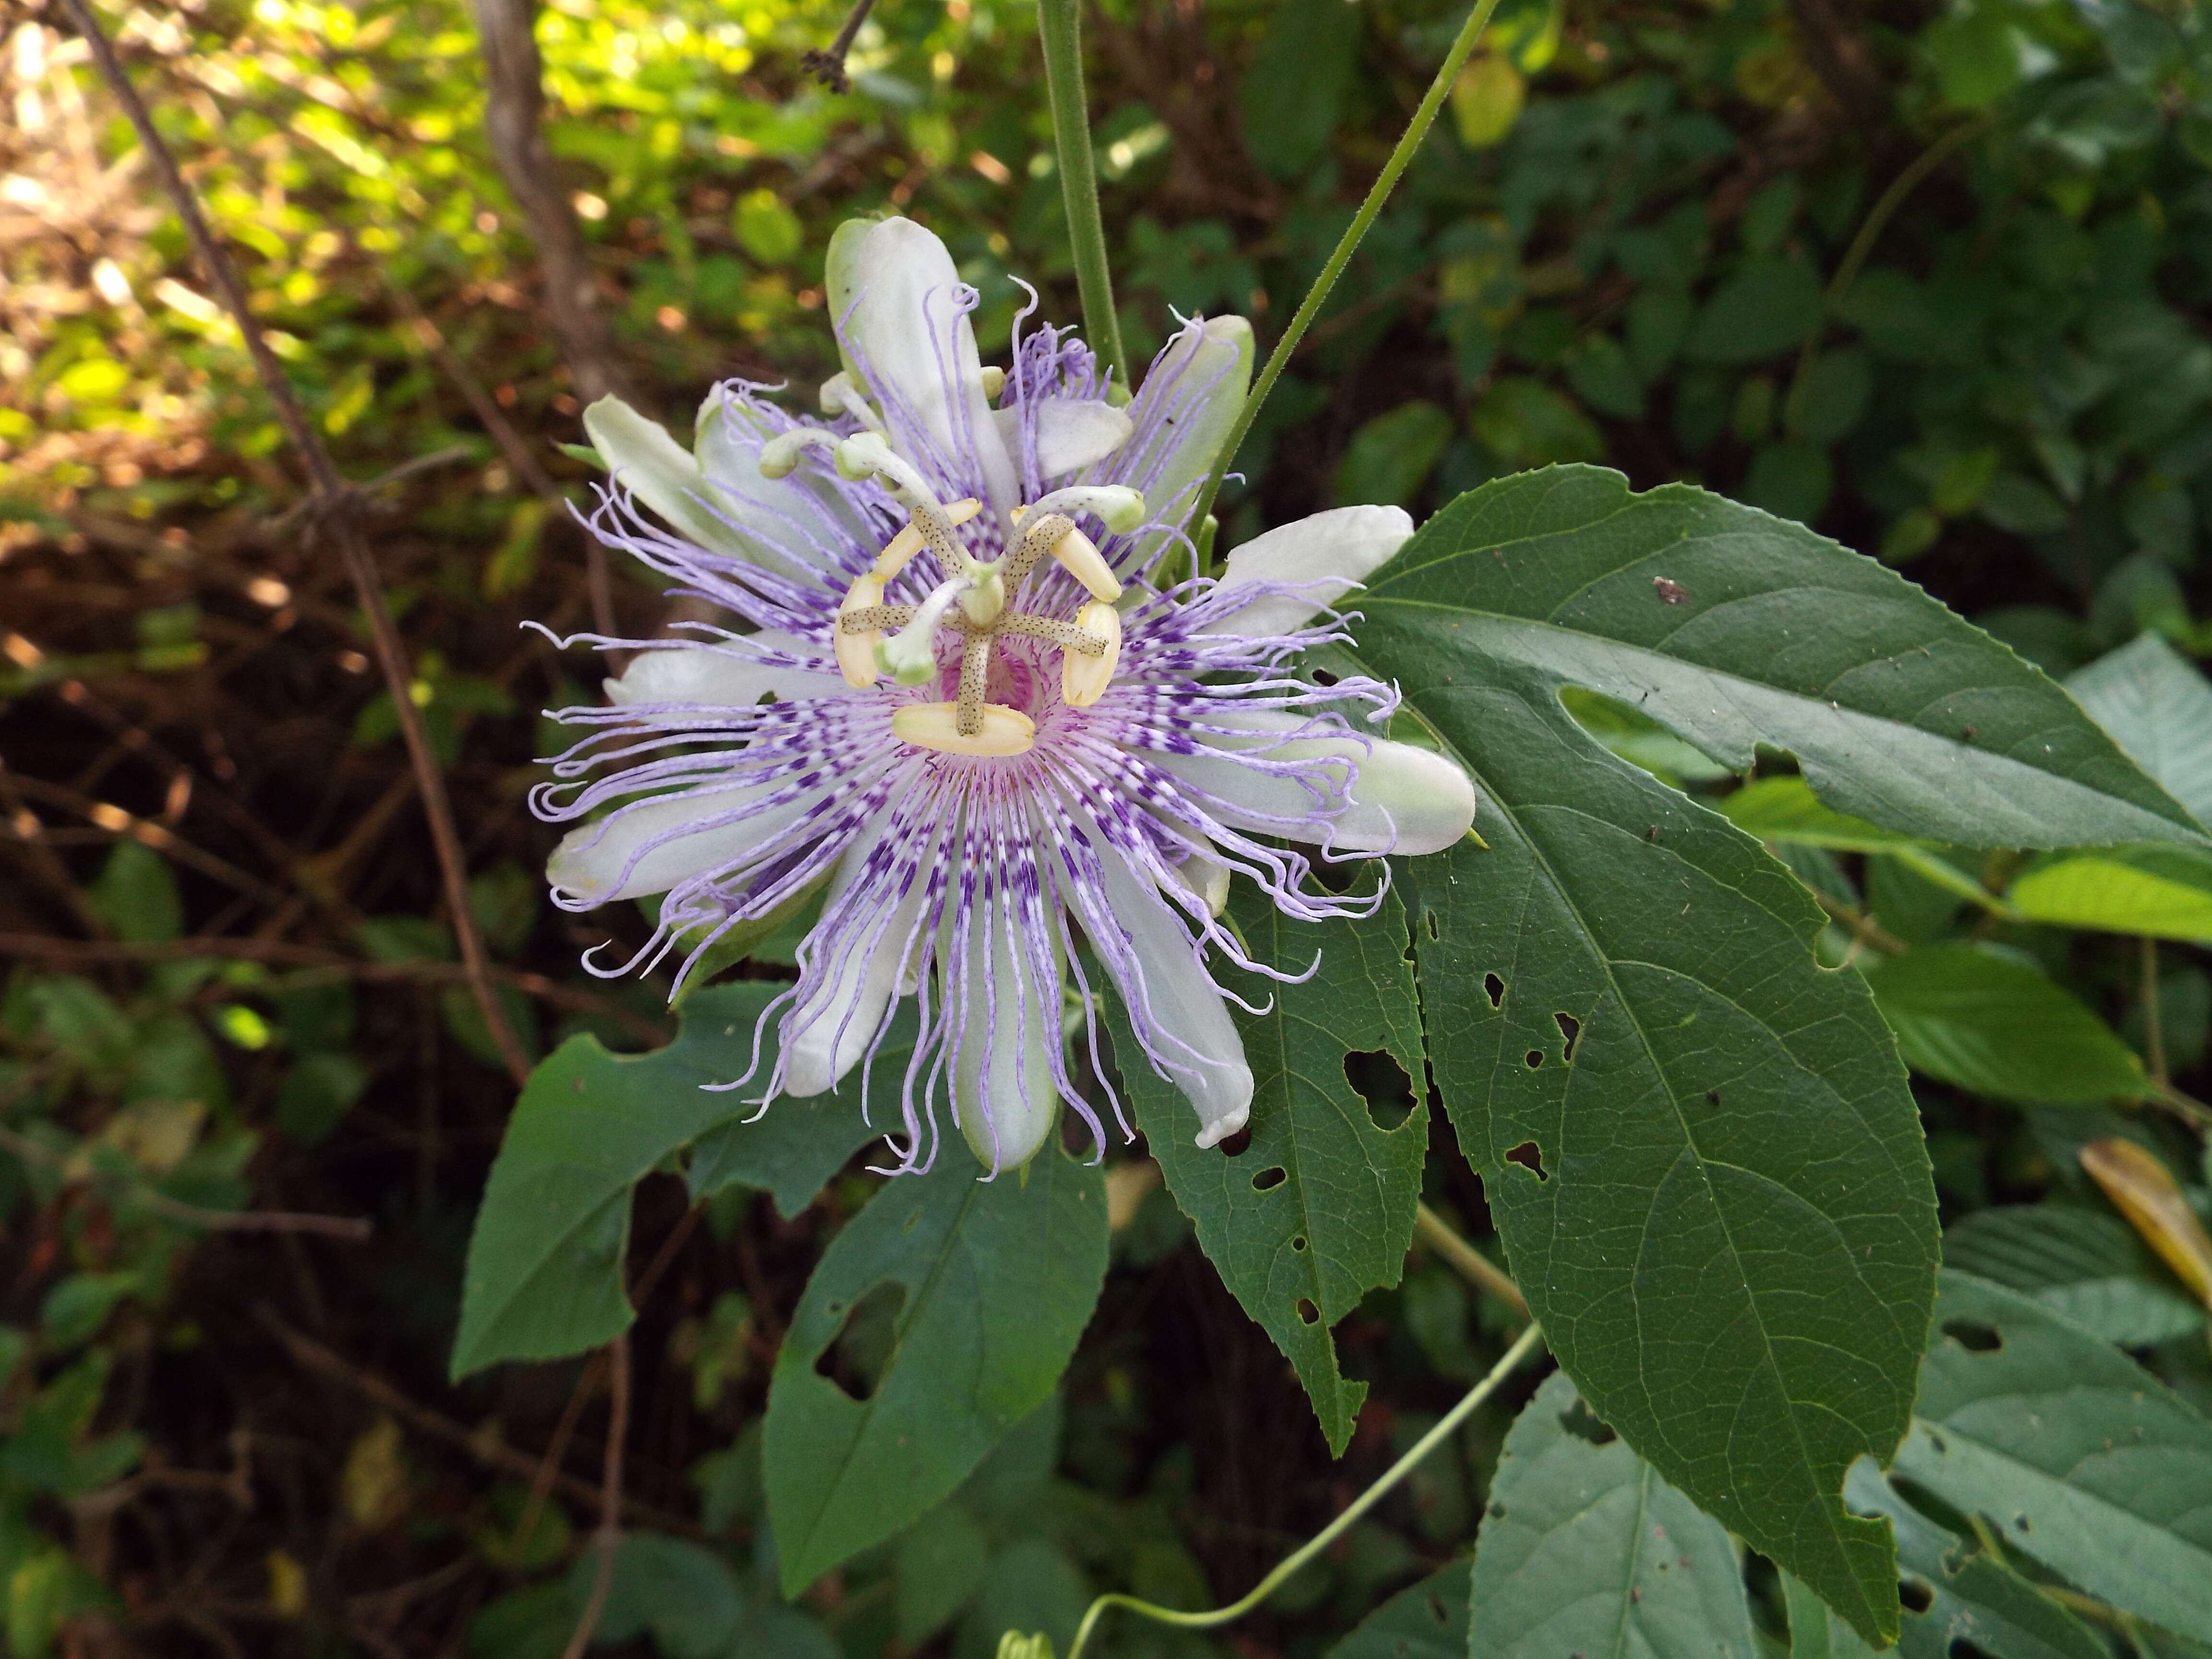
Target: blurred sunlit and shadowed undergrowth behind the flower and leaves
<point>1930,278</point>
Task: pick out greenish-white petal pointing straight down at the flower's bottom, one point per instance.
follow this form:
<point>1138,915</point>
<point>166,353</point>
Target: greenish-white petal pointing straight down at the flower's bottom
<point>1003,1056</point>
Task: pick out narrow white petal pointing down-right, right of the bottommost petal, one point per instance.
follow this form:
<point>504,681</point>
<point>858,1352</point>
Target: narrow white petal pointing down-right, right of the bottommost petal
<point>1202,1047</point>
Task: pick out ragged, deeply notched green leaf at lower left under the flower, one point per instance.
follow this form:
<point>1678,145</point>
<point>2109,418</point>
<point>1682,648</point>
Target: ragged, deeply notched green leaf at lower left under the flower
<point>554,1227</point>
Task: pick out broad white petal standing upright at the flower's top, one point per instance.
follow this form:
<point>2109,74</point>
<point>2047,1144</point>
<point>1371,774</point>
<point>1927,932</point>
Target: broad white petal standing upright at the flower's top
<point>893,300</point>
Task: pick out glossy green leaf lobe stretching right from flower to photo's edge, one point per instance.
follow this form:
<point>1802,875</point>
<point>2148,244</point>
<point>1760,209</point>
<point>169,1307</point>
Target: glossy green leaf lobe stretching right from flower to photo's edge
<point>1738,629</point>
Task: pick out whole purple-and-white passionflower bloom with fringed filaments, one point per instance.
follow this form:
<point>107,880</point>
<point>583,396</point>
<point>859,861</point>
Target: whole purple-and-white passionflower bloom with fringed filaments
<point>972,696</point>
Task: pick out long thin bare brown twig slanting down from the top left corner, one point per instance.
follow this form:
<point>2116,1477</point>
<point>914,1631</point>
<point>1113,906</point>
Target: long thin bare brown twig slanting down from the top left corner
<point>337,514</point>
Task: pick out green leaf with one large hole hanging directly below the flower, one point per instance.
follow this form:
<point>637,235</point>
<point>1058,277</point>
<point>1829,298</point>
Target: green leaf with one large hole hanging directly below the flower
<point>959,1304</point>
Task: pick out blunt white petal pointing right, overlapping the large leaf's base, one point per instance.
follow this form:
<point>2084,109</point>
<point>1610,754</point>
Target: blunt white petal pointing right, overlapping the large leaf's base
<point>1404,800</point>
